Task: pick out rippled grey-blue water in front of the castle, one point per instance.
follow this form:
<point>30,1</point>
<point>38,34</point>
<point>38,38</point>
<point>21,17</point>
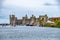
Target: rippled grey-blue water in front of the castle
<point>29,33</point>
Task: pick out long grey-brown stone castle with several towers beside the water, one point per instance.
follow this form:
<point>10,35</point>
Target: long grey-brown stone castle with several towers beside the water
<point>25,20</point>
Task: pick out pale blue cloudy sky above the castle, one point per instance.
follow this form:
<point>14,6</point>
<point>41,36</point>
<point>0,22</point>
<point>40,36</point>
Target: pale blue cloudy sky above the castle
<point>22,7</point>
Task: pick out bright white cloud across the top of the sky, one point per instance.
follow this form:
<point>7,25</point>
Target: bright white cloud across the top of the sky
<point>28,3</point>
